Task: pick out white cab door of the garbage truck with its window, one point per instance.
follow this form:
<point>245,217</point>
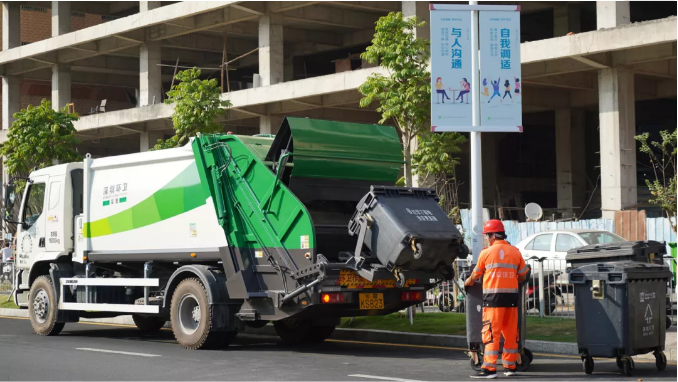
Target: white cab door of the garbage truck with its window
<point>31,234</point>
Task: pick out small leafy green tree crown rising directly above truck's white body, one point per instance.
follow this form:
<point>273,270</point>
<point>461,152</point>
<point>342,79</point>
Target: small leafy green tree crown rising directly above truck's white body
<point>196,106</point>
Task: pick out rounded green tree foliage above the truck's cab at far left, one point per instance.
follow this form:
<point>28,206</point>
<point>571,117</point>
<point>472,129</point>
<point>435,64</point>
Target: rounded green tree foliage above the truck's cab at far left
<point>38,137</point>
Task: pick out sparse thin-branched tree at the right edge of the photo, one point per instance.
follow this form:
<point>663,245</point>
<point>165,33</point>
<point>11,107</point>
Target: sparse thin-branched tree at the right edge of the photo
<point>662,155</point>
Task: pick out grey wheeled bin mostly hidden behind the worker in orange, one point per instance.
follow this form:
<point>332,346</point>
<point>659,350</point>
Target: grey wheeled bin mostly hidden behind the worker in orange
<point>475,316</point>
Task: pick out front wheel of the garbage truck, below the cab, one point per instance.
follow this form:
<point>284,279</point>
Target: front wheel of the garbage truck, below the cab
<point>42,308</point>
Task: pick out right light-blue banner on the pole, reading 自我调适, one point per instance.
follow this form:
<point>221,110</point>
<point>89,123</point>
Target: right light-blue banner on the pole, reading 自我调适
<point>501,95</point>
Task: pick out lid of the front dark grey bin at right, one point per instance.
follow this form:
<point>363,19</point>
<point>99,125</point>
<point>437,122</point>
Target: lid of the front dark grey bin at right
<point>631,270</point>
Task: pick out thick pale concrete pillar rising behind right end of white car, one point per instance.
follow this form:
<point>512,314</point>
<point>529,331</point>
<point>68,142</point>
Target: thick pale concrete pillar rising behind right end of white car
<point>617,144</point>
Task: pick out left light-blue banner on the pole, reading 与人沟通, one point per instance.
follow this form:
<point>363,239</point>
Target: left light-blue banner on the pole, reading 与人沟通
<point>451,68</point>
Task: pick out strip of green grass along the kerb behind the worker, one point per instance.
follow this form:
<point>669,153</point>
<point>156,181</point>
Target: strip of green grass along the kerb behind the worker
<point>543,329</point>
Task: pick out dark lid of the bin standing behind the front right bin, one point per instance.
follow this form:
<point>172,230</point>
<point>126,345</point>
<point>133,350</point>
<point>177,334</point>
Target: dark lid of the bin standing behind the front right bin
<point>623,249</point>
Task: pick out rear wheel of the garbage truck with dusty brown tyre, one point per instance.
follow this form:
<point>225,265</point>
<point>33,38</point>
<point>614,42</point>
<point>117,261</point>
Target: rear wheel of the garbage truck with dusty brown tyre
<point>191,318</point>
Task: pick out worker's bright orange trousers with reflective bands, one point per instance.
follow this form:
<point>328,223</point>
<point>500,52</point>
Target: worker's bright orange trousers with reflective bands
<point>498,322</point>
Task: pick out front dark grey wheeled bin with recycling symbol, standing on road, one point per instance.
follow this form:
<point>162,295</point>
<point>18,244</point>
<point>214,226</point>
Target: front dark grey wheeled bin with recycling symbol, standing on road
<point>619,309</point>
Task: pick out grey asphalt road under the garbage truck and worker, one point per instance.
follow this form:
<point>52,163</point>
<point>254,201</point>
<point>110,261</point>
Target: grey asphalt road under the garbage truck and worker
<point>89,351</point>
